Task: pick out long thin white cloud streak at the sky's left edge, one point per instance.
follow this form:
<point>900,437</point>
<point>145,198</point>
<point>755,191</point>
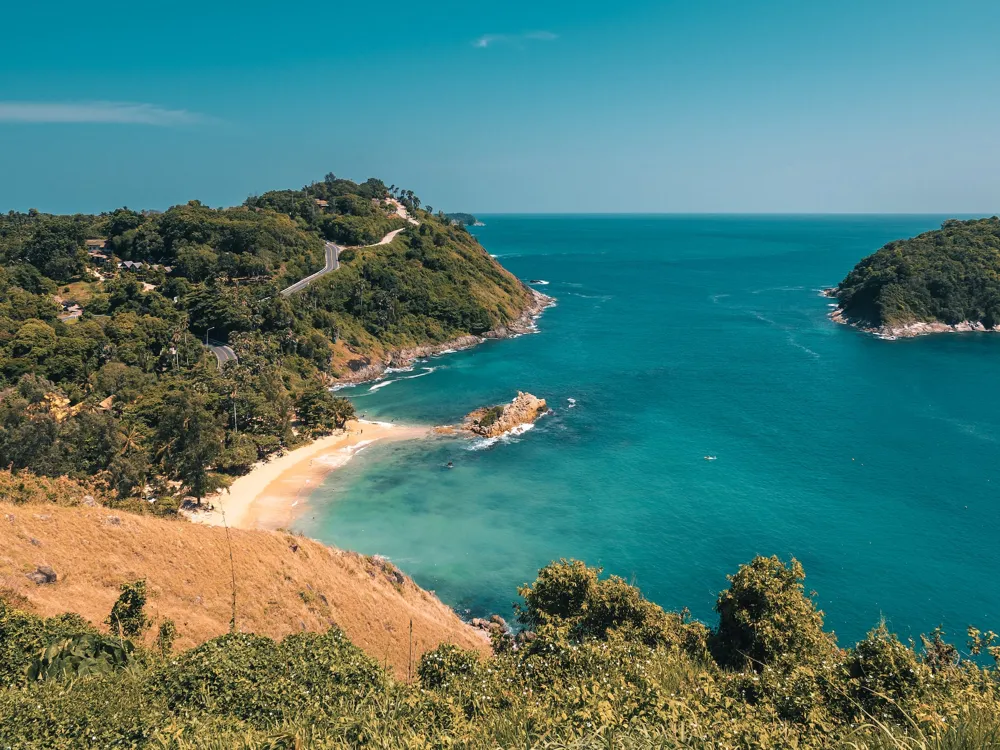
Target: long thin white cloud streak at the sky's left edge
<point>95,112</point>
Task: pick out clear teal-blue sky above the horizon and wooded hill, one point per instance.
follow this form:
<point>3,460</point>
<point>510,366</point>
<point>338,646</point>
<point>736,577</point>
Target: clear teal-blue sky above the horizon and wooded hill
<point>648,106</point>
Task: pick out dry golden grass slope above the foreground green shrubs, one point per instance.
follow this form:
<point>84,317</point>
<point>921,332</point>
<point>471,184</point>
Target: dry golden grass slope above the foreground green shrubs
<point>284,583</point>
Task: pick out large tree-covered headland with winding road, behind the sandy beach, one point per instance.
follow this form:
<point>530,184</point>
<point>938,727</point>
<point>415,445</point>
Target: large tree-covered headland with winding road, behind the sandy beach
<point>105,374</point>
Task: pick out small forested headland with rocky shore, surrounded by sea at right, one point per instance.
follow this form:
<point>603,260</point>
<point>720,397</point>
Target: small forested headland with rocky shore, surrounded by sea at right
<point>949,277</point>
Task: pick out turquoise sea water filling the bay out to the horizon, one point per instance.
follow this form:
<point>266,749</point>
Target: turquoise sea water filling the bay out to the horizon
<point>873,462</point>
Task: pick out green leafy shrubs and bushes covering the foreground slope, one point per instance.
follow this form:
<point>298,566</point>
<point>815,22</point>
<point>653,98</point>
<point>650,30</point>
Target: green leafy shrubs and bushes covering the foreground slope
<point>600,667</point>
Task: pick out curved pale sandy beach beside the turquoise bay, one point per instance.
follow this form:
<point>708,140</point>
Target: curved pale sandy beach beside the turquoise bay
<point>275,492</point>
